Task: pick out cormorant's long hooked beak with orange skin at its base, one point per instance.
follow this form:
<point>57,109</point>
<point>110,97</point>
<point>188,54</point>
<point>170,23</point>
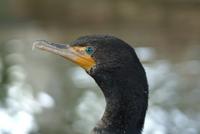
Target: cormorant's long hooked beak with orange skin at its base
<point>75,54</point>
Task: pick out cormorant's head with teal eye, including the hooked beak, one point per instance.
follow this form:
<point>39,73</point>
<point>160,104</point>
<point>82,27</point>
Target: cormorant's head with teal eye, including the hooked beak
<point>92,52</point>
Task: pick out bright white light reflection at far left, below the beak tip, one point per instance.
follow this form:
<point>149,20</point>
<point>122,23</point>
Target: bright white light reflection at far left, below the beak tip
<point>18,115</point>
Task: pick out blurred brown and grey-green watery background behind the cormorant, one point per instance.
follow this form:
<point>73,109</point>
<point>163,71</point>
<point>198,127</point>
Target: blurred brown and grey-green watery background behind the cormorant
<point>41,93</point>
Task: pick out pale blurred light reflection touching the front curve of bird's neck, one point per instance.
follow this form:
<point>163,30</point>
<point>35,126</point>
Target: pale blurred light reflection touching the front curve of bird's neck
<point>88,111</point>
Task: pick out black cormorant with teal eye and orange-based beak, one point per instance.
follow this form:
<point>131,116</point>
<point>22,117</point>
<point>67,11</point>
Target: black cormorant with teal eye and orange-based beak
<point>117,70</point>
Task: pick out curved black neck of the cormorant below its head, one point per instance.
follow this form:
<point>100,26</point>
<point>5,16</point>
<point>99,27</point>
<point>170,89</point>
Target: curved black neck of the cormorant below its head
<point>126,102</point>
